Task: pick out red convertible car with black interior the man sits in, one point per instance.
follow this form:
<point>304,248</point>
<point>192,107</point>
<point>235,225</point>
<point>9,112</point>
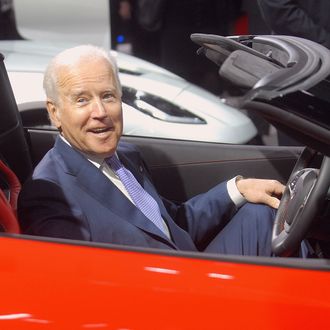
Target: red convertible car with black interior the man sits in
<point>66,284</point>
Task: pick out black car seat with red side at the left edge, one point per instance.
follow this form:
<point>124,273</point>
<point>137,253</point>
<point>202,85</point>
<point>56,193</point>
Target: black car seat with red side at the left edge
<point>15,160</point>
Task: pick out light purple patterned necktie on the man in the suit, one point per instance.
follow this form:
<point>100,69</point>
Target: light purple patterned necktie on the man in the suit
<point>140,197</point>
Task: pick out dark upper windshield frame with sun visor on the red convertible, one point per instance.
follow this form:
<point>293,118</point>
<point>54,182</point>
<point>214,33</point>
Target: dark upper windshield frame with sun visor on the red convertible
<point>285,79</point>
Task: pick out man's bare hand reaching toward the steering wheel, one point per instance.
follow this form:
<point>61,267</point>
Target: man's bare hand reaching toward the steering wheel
<point>267,192</point>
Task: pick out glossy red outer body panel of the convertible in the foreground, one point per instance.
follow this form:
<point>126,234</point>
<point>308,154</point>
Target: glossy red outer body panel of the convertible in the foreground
<point>49,285</point>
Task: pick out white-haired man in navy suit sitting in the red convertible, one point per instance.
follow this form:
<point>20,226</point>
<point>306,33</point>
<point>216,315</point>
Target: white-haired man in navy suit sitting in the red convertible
<point>91,187</point>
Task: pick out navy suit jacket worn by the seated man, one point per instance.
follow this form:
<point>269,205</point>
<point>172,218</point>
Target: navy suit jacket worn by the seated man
<point>69,197</point>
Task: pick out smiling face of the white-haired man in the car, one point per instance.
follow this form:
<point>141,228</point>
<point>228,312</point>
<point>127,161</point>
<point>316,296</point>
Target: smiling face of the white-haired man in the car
<point>89,112</point>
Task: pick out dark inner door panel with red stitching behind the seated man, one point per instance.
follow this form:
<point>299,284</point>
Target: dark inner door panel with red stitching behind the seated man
<point>182,169</point>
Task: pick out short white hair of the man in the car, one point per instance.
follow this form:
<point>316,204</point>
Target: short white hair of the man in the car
<point>71,57</point>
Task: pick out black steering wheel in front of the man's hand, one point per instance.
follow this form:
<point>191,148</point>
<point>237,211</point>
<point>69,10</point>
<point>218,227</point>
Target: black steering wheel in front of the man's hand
<point>303,197</point>
